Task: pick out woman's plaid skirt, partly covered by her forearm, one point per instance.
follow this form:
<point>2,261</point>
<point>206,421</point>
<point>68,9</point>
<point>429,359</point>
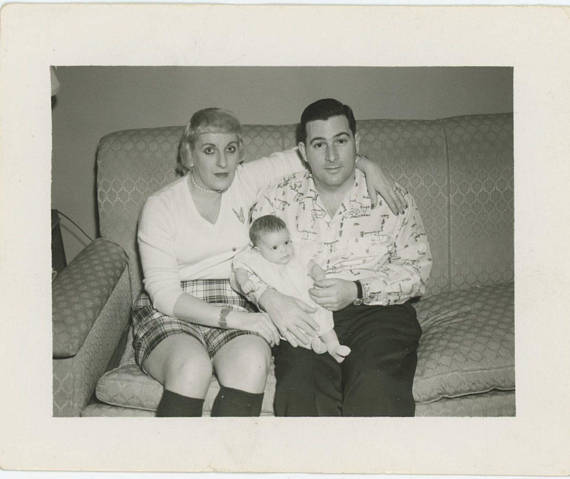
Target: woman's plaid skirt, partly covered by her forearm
<point>150,326</point>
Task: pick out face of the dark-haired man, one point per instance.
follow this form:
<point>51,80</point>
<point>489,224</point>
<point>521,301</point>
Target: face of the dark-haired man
<point>330,149</point>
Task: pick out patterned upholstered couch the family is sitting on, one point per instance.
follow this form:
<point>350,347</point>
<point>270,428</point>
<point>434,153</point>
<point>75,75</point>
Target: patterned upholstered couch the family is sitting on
<point>460,170</point>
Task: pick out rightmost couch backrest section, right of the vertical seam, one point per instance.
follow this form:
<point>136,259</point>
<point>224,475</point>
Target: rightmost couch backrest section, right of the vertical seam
<point>480,151</point>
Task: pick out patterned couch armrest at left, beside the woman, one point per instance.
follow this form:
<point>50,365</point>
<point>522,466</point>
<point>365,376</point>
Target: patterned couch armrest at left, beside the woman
<point>91,309</point>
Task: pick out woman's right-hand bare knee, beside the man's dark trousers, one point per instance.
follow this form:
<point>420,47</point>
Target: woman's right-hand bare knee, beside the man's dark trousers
<point>244,364</point>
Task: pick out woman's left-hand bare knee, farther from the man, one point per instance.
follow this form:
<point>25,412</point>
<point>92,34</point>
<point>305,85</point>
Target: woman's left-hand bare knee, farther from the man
<point>182,365</point>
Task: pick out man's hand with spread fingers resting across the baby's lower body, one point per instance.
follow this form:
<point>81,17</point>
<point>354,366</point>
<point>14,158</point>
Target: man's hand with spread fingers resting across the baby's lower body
<point>291,316</point>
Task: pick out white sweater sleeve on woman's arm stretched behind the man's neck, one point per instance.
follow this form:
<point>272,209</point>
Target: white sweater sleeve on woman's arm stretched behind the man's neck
<point>254,176</point>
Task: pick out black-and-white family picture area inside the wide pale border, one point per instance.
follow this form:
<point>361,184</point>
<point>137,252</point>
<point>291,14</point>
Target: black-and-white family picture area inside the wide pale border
<point>282,241</point>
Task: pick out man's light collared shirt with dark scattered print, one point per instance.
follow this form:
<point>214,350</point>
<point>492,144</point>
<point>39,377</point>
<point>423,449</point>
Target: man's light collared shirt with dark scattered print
<point>388,253</point>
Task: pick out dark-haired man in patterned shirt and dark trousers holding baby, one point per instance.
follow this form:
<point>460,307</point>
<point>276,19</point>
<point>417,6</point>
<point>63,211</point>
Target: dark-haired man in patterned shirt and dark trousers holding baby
<point>375,262</point>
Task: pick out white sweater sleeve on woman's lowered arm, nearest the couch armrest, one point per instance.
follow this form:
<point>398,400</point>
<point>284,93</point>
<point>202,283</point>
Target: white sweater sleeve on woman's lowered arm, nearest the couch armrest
<point>156,240</point>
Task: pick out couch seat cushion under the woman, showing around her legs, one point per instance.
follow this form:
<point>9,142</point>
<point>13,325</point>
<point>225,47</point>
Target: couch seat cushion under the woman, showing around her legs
<point>127,386</point>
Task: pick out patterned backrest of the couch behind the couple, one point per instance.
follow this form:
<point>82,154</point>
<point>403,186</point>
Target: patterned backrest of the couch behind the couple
<point>460,170</point>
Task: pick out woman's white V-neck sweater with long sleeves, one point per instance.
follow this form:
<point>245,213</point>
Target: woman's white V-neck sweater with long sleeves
<point>176,244</point>
